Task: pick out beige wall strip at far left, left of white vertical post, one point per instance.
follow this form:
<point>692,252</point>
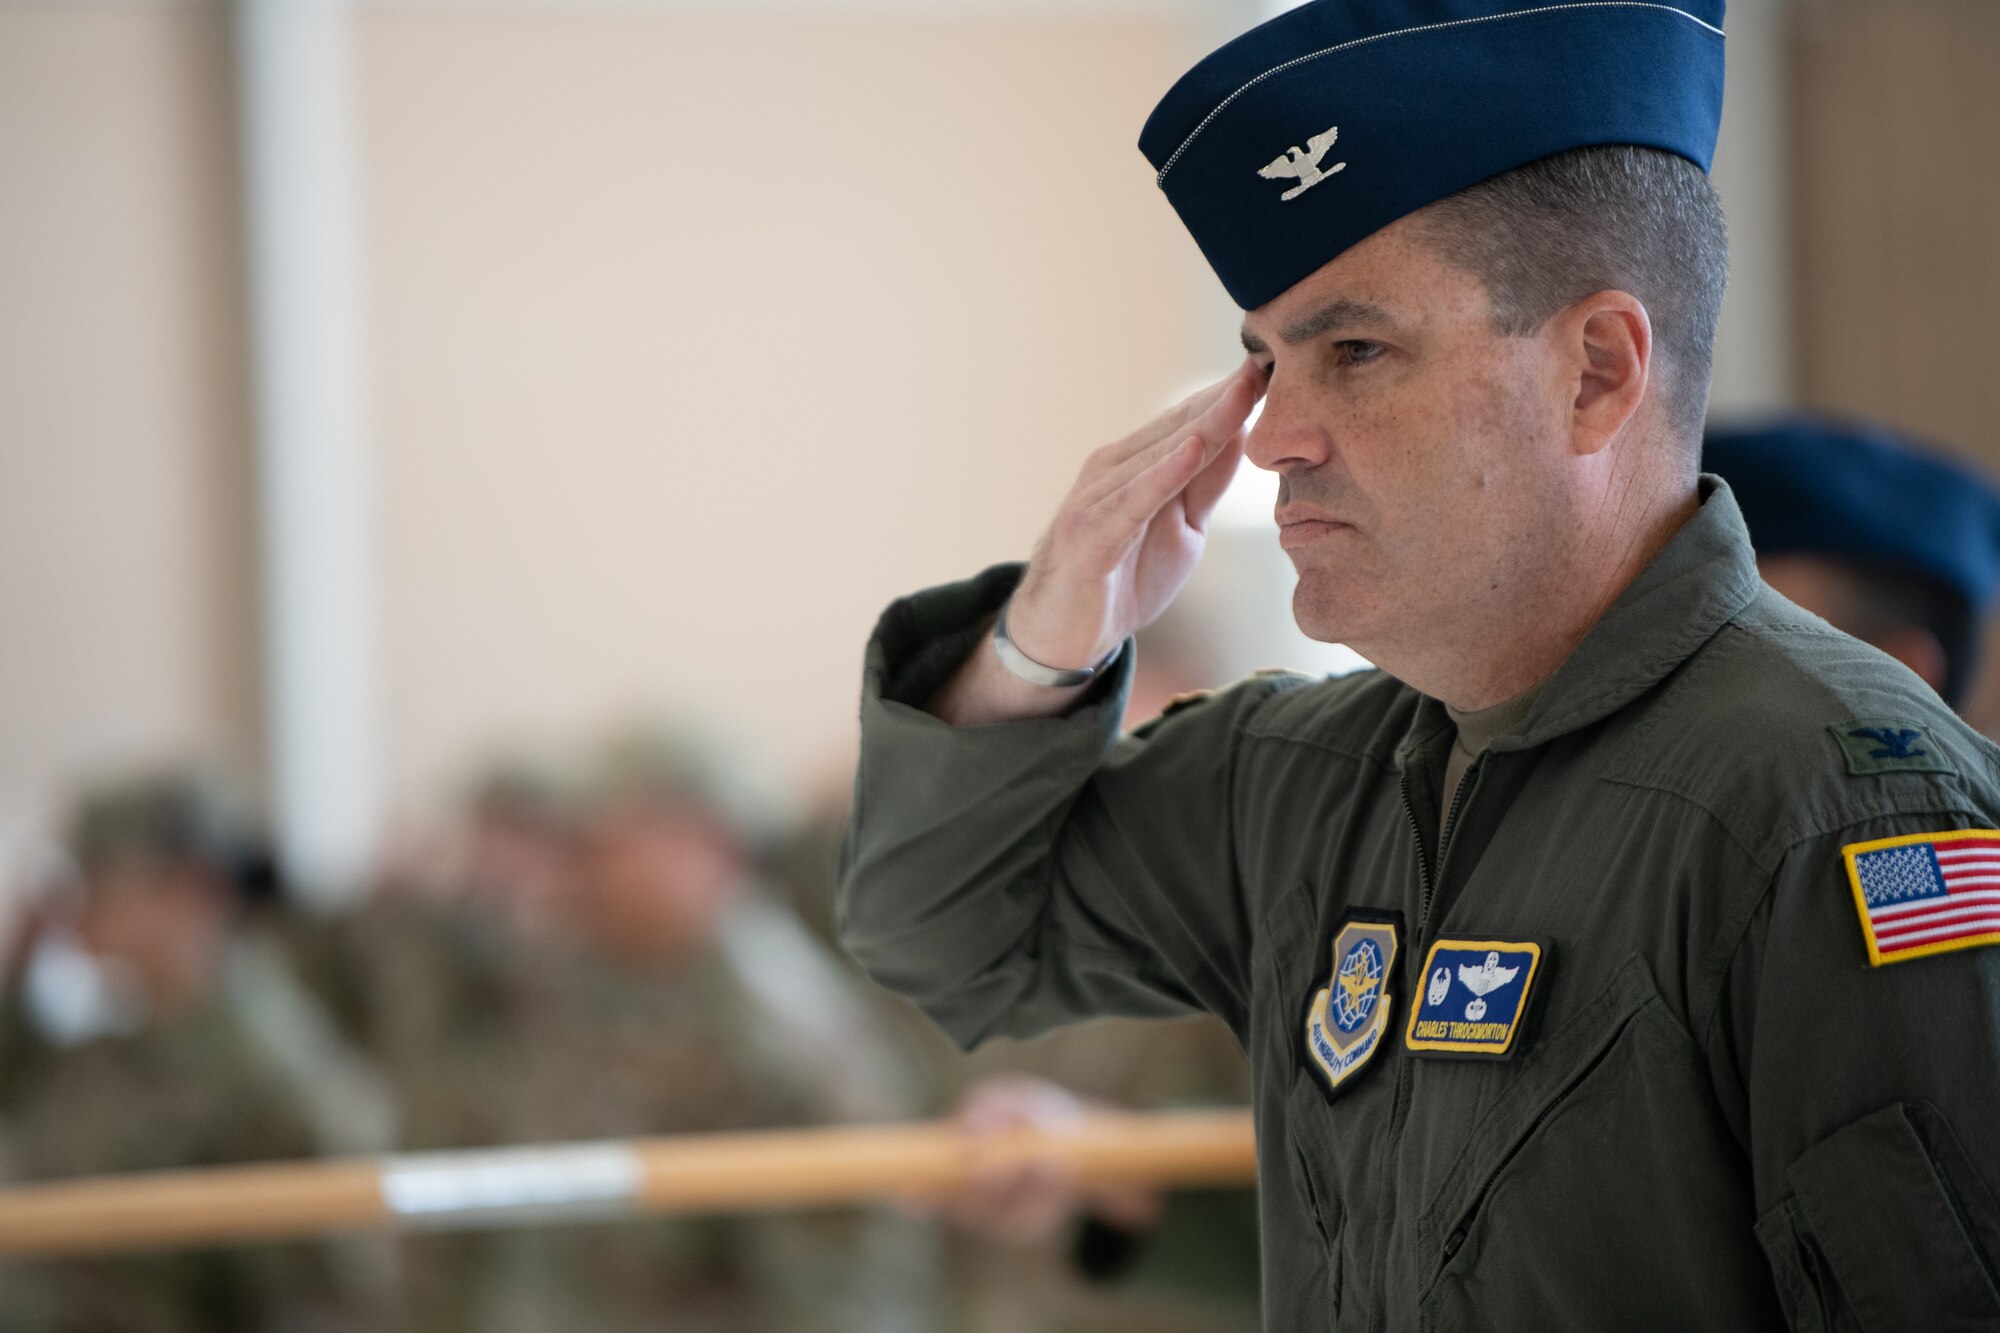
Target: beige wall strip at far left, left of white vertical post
<point>125,547</point>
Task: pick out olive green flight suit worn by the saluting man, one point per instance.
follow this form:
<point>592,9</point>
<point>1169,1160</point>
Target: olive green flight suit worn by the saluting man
<point>1717,1114</point>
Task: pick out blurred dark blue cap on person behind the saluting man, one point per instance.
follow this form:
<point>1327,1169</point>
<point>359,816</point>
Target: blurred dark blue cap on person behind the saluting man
<point>1859,493</point>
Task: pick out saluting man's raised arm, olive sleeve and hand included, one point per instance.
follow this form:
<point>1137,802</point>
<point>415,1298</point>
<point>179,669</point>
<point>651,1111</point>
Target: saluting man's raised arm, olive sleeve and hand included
<point>1009,862</point>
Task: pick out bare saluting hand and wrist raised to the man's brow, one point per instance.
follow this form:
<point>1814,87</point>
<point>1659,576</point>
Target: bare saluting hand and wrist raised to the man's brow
<point>1119,551</point>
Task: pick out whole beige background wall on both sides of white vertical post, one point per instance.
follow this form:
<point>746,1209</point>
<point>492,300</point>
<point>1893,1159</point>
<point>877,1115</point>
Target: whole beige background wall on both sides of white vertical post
<point>695,339</point>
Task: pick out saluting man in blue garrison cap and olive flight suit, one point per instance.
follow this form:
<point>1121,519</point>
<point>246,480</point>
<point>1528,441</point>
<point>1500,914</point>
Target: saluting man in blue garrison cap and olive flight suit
<point>1731,1054</point>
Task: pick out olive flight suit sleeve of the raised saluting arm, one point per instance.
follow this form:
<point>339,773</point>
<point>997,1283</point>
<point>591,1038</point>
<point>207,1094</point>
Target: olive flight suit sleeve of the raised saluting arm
<point>1023,876</point>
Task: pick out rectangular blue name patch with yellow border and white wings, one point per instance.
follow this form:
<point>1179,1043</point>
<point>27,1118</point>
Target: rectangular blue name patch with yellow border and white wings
<point>1475,998</point>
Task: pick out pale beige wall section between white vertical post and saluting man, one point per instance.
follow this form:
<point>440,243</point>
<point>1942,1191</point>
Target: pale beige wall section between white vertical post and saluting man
<point>701,339</point>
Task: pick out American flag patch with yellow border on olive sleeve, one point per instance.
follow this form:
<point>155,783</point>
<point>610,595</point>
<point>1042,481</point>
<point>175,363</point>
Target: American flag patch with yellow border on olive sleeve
<point>1927,894</point>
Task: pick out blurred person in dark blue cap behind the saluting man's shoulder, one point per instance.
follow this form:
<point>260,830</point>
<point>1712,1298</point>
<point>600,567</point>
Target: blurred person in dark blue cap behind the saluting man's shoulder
<point>1873,533</point>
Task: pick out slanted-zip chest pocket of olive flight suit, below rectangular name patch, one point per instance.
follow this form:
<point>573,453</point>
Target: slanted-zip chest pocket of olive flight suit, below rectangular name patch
<point>1595,1190</point>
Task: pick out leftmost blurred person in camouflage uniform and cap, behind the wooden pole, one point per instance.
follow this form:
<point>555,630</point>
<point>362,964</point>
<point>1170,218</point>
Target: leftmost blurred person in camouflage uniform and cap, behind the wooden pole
<point>143,1030</point>
